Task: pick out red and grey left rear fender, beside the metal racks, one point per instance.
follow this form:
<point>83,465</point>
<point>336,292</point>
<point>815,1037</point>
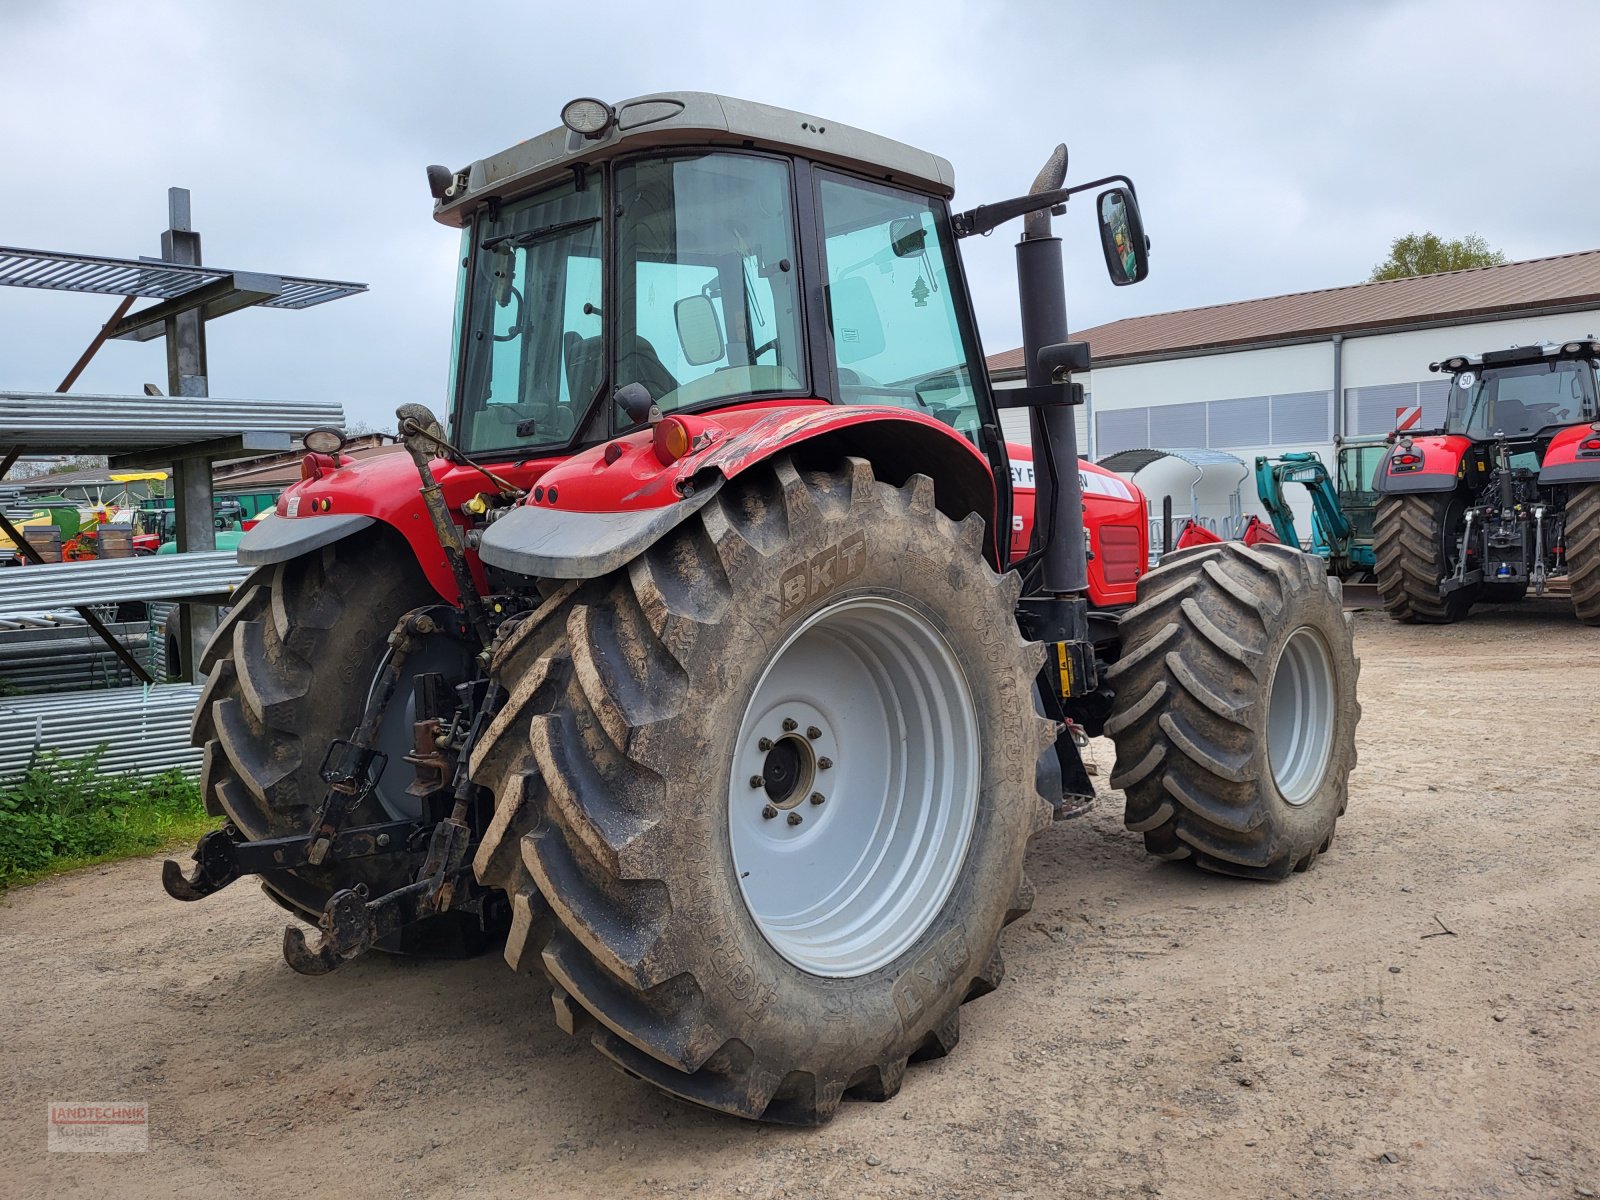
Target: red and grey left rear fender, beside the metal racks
<point>342,502</point>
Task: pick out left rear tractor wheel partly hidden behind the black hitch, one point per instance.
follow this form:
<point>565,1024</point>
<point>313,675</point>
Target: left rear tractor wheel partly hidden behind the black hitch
<point>289,673</point>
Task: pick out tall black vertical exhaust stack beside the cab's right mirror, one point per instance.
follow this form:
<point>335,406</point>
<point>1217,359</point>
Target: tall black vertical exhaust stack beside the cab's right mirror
<point>1058,508</point>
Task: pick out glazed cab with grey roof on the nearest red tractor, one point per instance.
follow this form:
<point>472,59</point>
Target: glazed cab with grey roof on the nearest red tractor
<point>710,254</point>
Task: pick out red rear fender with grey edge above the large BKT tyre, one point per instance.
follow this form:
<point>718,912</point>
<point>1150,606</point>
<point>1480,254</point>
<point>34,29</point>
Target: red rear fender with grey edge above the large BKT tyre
<point>606,506</point>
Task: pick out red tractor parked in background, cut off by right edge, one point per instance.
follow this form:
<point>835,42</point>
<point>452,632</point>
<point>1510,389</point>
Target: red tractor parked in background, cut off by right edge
<point>1506,497</point>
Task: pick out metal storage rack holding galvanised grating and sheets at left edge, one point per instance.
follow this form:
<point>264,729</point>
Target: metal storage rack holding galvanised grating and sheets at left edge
<point>183,430</point>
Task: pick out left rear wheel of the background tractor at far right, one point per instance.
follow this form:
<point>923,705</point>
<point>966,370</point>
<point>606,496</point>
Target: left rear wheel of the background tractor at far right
<point>1414,542</point>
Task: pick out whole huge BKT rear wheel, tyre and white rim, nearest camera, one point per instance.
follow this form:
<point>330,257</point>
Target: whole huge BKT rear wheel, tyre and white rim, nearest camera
<point>762,796</point>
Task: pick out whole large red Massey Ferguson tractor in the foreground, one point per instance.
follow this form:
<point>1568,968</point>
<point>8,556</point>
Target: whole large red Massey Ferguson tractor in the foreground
<point>702,666</point>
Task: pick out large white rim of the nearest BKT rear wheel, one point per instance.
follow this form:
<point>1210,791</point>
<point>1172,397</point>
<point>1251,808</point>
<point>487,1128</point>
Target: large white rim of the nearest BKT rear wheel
<point>865,706</point>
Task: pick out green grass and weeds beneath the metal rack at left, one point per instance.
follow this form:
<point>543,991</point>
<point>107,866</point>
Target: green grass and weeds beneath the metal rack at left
<point>66,814</point>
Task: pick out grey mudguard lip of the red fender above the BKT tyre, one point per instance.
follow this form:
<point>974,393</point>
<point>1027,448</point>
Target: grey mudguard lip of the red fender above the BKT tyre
<point>558,545</point>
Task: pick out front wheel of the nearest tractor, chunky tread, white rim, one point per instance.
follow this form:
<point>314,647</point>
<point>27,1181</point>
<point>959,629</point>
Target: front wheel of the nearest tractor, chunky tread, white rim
<point>1236,710</point>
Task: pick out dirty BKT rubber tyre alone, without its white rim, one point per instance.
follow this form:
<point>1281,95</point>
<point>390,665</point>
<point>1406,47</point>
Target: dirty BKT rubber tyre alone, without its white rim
<point>612,831</point>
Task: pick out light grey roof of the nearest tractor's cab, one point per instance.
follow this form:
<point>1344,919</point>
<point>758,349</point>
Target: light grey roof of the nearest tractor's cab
<point>692,119</point>
